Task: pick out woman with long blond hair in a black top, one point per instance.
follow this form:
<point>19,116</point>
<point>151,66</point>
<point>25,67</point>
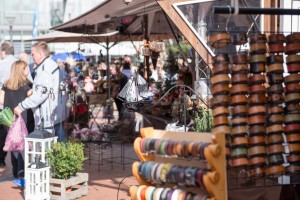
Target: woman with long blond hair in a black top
<point>15,90</point>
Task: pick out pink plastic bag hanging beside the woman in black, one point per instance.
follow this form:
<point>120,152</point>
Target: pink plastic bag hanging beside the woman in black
<point>16,134</point>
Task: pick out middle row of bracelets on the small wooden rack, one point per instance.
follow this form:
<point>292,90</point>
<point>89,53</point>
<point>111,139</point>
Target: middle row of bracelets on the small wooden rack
<point>168,173</point>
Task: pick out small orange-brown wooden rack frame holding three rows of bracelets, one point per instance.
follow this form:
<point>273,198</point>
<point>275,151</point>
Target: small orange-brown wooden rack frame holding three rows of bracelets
<point>214,181</point>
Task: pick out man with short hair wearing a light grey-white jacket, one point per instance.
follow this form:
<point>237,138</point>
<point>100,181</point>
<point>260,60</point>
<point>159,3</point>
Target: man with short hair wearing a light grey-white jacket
<point>46,99</point>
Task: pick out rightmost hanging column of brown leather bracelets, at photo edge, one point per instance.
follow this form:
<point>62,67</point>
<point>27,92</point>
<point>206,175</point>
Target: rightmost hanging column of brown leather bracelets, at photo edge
<point>292,99</point>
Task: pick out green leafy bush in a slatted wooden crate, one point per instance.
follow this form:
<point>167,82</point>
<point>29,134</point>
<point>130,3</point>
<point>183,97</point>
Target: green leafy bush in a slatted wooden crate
<point>66,161</point>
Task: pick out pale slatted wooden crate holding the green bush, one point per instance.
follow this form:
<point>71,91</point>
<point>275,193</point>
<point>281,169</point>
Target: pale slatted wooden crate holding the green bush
<point>78,184</point>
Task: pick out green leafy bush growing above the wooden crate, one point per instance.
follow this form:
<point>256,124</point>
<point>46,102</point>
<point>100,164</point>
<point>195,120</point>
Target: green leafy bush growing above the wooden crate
<point>66,159</point>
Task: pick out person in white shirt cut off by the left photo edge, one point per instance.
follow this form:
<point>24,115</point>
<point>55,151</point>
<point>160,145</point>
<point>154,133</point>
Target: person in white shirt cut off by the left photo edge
<point>7,56</point>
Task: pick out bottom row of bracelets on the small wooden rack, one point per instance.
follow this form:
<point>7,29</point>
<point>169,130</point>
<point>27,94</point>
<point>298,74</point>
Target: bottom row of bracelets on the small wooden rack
<point>143,192</point>
